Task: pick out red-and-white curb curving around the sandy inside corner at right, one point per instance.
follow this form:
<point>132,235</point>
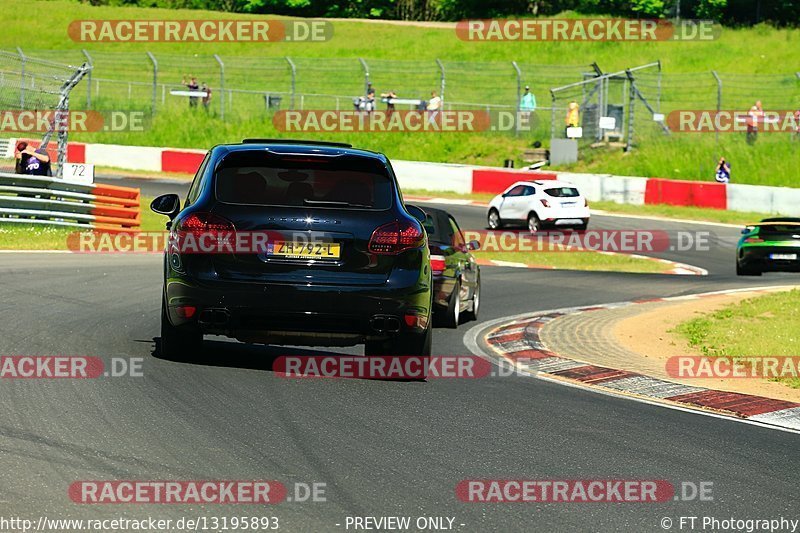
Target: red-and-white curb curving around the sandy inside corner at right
<point>516,340</point>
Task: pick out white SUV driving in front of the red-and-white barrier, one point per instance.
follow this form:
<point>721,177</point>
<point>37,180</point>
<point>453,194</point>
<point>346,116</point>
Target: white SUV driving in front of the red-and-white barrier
<point>539,204</point>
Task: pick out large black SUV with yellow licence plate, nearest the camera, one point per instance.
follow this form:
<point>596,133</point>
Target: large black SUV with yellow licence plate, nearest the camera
<point>341,260</point>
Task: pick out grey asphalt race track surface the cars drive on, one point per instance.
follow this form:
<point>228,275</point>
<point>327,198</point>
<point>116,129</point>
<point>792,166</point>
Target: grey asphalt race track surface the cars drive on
<point>382,448</point>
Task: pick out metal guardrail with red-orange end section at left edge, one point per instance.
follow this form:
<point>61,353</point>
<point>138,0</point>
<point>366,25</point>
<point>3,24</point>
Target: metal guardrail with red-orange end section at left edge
<point>44,200</point>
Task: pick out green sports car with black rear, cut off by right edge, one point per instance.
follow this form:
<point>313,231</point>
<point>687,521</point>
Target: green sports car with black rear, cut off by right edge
<point>771,245</point>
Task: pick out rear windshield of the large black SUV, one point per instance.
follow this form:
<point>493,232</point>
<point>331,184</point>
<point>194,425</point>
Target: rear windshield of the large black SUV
<point>344,182</point>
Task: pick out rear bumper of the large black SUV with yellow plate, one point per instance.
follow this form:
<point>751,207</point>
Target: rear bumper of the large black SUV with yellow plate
<point>319,315</point>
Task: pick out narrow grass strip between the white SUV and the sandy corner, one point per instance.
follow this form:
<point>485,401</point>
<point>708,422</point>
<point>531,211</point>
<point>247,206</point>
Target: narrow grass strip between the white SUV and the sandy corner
<point>584,260</point>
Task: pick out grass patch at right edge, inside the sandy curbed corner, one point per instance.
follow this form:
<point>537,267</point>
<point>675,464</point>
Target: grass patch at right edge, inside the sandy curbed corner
<point>760,326</point>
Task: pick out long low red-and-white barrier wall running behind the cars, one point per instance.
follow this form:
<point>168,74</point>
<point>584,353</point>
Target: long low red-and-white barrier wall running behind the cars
<point>476,179</point>
